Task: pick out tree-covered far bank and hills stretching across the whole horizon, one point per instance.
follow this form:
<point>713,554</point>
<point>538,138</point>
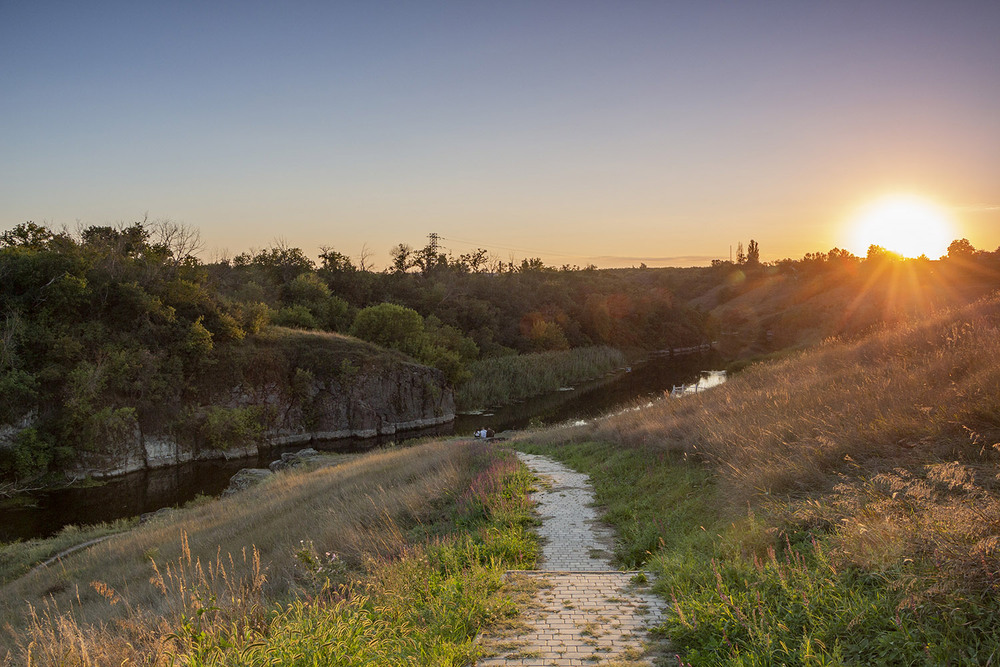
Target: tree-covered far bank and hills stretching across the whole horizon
<point>104,326</point>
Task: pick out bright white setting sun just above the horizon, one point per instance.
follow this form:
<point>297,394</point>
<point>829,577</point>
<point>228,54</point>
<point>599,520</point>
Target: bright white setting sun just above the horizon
<point>904,224</point>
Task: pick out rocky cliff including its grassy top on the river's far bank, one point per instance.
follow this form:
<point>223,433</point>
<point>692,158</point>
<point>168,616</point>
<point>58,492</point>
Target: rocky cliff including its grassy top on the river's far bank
<point>274,397</point>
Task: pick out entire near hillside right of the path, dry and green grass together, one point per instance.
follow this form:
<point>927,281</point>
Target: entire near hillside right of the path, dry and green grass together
<point>840,506</point>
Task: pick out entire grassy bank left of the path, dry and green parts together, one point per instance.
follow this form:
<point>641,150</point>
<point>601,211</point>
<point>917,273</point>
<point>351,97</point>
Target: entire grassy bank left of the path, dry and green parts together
<point>389,558</point>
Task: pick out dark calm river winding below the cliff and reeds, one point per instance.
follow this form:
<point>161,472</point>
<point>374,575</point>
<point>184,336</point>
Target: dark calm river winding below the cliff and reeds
<point>141,492</point>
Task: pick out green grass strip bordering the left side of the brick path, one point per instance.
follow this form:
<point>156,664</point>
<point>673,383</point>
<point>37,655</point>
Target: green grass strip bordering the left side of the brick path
<point>424,607</point>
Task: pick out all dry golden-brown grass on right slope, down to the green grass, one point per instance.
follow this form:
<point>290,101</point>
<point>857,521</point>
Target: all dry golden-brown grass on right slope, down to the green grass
<point>889,443</point>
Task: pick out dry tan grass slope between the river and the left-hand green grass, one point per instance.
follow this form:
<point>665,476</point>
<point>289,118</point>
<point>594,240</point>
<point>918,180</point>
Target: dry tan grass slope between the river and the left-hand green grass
<point>121,599</point>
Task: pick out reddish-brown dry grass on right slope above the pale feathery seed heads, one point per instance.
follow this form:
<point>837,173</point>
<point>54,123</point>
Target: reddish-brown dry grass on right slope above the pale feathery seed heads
<point>927,390</point>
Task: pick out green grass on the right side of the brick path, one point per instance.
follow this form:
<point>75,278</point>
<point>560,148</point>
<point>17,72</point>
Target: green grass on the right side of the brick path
<point>757,589</point>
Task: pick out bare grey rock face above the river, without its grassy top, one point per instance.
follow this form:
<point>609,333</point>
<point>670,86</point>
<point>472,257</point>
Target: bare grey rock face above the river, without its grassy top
<point>362,401</point>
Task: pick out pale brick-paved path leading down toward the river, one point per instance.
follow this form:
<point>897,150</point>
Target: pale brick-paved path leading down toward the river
<point>586,612</point>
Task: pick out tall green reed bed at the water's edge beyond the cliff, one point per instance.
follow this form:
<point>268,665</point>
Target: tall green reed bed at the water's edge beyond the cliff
<point>503,380</point>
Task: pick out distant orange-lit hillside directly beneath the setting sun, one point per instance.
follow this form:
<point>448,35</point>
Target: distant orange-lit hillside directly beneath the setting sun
<point>798,304</point>
